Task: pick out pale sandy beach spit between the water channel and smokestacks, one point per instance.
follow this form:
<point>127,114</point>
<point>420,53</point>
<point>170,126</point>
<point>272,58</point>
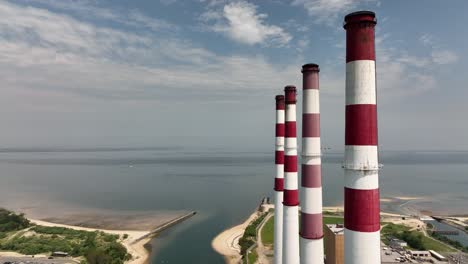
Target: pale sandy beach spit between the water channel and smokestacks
<point>226,243</point>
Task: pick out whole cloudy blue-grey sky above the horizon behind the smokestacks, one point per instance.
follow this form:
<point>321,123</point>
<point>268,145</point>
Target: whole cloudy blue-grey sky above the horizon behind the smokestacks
<point>204,73</point>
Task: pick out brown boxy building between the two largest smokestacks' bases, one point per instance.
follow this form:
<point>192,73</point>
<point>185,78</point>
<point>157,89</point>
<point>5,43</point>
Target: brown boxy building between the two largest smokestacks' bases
<point>334,244</point>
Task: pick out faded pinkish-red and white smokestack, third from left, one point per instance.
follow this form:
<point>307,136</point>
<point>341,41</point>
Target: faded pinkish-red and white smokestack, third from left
<point>311,183</point>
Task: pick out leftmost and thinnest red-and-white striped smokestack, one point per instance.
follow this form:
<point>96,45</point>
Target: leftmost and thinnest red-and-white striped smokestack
<point>279,180</point>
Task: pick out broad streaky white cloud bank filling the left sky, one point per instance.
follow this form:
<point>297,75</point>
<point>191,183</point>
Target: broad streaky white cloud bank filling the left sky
<point>44,51</point>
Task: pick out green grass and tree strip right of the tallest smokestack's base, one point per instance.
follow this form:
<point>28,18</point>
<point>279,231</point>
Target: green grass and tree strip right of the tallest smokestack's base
<point>415,239</point>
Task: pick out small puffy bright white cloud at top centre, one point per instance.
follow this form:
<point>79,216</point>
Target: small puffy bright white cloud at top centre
<point>241,22</point>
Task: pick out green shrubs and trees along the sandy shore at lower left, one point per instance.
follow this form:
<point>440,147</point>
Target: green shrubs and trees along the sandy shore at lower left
<point>19,235</point>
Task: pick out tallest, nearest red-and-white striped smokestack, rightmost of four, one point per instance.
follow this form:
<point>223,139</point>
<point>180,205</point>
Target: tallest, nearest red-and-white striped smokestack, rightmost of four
<point>361,192</point>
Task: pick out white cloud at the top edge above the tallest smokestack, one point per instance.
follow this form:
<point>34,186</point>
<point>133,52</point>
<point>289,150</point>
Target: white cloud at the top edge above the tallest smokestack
<point>327,11</point>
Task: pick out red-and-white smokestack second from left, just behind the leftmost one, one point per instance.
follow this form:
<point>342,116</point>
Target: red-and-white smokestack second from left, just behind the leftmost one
<point>290,198</point>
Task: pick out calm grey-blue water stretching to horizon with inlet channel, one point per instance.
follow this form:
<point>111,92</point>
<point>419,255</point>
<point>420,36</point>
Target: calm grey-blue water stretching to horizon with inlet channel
<point>224,187</point>
